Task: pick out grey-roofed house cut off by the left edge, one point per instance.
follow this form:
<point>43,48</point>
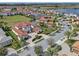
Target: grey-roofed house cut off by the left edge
<point>4,40</point>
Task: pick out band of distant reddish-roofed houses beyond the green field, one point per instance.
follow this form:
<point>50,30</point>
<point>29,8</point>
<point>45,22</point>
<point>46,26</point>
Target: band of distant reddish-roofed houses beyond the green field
<point>23,10</point>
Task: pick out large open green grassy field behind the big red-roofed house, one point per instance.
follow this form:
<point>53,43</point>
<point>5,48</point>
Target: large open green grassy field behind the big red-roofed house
<point>11,20</point>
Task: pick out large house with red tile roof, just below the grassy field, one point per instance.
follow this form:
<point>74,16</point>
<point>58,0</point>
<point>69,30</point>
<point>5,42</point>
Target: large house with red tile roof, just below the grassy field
<point>22,29</point>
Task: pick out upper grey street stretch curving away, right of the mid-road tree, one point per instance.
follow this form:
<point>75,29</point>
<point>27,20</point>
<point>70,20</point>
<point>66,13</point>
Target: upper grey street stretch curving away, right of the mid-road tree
<point>59,36</point>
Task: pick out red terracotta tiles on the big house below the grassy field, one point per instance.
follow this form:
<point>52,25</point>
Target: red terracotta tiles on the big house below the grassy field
<point>24,24</point>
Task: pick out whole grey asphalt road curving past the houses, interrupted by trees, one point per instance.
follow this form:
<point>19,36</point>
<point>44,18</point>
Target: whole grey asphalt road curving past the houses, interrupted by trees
<point>44,43</point>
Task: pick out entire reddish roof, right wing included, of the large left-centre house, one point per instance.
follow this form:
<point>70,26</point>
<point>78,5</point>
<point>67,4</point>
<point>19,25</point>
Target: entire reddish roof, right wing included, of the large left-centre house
<point>18,28</point>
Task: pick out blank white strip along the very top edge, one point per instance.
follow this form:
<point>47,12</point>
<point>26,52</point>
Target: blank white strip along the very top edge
<point>39,1</point>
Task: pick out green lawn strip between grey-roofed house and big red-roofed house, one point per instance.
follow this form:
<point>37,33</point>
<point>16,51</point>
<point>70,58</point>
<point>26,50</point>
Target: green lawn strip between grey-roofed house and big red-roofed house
<point>15,42</point>
